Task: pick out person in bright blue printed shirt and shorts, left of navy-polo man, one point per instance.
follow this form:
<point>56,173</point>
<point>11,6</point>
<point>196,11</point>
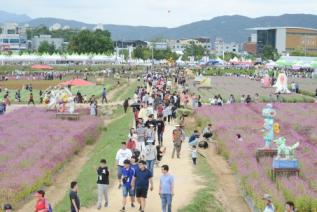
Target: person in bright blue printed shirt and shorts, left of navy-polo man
<point>127,176</point>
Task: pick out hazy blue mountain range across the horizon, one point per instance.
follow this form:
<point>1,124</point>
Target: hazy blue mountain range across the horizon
<point>230,28</point>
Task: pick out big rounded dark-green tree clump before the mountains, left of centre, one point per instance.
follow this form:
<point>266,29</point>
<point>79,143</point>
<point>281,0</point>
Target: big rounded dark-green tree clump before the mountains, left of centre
<point>91,42</point>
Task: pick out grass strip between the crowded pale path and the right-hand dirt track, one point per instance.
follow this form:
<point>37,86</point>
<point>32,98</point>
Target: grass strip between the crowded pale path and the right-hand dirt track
<point>204,200</point>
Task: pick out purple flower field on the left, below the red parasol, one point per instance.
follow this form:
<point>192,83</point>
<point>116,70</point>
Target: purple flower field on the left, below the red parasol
<point>34,144</point>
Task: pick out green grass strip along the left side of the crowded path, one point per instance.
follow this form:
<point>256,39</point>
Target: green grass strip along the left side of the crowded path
<point>106,147</point>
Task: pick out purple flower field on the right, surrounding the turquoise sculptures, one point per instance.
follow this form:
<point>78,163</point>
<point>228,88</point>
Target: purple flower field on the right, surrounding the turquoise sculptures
<point>298,123</point>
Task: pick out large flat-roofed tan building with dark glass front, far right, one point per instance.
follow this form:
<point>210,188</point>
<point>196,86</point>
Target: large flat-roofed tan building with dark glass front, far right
<point>286,39</point>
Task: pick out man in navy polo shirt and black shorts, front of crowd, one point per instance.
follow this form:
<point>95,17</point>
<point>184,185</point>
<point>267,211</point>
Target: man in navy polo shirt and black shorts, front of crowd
<point>141,181</point>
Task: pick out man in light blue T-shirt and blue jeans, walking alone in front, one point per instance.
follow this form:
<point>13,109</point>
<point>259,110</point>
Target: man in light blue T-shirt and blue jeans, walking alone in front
<point>166,189</point>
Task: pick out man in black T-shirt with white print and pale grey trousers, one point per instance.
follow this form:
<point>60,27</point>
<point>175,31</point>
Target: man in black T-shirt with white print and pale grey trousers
<point>102,183</point>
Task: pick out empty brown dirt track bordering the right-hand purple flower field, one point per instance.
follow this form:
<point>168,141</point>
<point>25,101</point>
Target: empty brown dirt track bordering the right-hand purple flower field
<point>228,191</point>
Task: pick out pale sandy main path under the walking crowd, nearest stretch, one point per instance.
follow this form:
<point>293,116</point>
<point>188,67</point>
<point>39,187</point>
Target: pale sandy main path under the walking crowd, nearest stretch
<point>186,183</point>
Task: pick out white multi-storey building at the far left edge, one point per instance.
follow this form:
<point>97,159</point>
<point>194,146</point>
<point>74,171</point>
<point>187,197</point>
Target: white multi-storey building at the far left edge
<point>13,38</point>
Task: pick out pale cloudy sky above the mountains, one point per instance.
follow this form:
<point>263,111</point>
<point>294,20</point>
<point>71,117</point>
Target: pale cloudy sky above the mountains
<point>168,13</point>
